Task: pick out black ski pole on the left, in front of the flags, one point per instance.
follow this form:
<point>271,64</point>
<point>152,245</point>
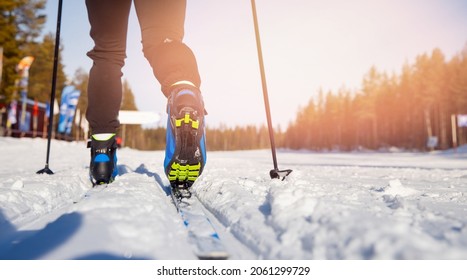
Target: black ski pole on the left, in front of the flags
<point>46,169</point>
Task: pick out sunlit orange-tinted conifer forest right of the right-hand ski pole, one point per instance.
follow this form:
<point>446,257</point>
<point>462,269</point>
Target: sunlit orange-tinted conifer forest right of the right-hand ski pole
<point>390,110</point>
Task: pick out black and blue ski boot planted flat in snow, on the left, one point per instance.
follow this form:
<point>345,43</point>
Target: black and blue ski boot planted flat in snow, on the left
<point>103,166</point>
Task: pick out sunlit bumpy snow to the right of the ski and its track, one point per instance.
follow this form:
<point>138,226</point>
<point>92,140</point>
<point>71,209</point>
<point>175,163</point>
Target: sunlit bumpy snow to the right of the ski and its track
<point>345,206</point>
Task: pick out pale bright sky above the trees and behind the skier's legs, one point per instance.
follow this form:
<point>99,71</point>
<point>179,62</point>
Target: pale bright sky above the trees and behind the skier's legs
<point>307,45</point>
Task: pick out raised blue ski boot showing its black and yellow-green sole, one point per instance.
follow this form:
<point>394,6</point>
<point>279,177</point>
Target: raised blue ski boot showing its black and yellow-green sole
<point>185,153</point>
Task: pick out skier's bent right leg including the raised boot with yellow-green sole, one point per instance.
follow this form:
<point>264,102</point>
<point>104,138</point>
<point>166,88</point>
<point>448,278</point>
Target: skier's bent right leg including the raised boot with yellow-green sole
<point>175,67</point>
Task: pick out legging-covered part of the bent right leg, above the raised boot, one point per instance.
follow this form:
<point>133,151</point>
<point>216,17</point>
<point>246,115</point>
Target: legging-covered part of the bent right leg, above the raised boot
<point>162,29</point>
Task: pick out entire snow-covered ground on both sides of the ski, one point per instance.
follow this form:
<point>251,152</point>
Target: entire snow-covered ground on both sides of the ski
<point>364,205</point>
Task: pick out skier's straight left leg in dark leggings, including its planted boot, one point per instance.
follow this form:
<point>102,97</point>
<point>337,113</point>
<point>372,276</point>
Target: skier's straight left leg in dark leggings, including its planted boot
<point>109,21</point>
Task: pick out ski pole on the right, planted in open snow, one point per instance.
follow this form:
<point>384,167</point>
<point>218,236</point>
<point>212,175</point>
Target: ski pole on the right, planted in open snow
<point>275,173</point>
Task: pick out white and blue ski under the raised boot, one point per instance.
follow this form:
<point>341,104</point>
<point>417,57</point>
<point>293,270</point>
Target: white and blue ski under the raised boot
<point>201,233</point>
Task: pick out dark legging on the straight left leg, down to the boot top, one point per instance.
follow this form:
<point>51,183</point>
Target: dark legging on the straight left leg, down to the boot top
<point>109,21</point>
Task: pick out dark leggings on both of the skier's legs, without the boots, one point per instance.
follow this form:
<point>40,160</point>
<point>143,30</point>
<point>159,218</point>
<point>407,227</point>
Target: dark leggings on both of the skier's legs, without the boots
<point>162,29</point>
